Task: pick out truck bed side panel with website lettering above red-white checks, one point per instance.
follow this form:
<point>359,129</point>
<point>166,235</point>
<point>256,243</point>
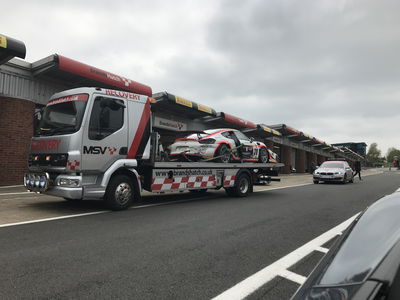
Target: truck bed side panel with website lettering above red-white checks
<point>168,180</point>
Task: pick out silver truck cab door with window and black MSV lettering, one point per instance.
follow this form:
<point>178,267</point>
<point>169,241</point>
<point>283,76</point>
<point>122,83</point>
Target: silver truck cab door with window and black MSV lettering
<point>105,138</point>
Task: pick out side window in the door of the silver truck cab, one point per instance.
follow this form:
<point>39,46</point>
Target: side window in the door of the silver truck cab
<point>107,117</point>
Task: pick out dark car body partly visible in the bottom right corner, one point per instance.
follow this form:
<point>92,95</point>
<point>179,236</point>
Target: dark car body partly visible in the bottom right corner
<point>364,262</point>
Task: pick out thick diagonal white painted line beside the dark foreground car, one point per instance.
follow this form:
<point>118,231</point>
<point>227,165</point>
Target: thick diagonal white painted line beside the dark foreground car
<point>255,281</point>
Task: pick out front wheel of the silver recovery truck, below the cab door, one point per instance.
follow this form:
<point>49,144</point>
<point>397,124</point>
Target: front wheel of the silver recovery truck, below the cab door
<point>120,193</point>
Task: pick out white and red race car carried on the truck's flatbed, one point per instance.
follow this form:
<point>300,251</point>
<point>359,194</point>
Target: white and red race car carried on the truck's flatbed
<point>220,145</point>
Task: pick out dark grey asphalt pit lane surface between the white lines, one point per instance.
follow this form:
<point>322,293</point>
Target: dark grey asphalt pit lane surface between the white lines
<point>186,250</point>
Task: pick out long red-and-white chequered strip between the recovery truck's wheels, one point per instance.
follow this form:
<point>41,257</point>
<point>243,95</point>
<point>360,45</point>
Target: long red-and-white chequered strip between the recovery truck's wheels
<point>180,183</point>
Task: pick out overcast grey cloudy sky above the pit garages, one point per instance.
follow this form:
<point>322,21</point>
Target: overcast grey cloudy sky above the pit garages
<point>328,68</point>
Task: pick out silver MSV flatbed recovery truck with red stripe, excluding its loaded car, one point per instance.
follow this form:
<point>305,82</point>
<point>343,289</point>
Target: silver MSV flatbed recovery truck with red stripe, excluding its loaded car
<point>98,143</point>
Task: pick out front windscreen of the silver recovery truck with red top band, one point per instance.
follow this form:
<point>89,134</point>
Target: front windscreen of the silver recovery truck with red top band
<point>62,115</point>
